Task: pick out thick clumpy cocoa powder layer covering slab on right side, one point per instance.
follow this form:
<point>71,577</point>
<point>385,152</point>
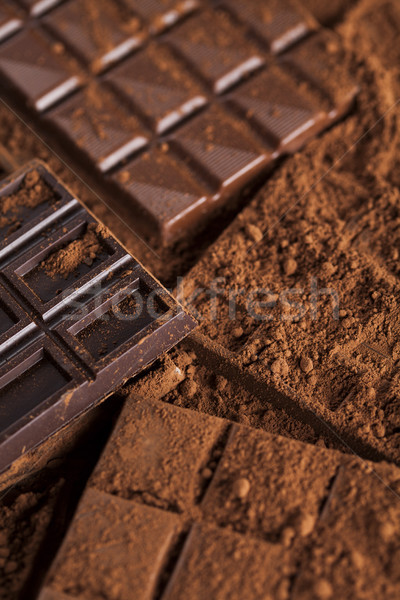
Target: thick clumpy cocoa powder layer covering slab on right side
<point>321,244</point>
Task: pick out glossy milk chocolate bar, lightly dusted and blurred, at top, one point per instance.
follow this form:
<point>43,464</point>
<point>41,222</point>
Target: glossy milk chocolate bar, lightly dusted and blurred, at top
<point>173,117</point>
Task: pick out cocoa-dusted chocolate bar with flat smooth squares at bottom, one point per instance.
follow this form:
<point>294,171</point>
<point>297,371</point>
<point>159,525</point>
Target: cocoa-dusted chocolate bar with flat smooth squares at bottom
<point>249,511</point>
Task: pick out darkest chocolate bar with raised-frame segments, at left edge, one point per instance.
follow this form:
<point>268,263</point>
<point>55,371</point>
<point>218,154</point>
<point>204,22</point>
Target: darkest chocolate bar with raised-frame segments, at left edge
<point>78,314</point>
